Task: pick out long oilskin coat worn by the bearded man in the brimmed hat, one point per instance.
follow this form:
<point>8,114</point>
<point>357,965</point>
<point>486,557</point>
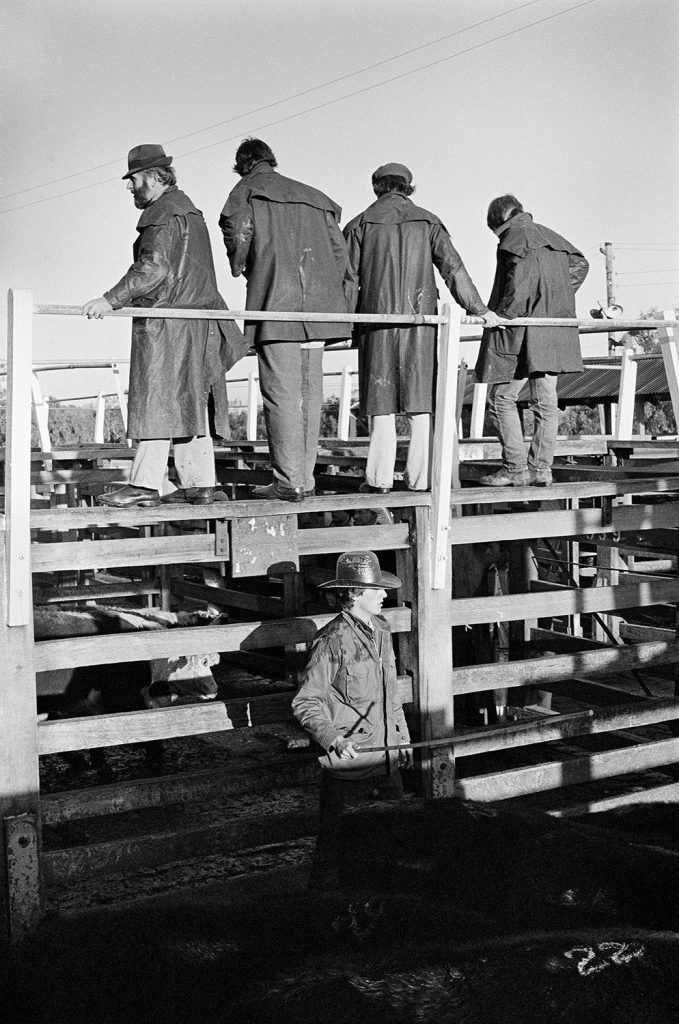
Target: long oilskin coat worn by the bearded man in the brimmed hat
<point>176,364</point>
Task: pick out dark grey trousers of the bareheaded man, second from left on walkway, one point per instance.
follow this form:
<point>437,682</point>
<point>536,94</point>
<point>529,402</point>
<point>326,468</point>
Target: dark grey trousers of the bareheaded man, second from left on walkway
<point>291,383</point>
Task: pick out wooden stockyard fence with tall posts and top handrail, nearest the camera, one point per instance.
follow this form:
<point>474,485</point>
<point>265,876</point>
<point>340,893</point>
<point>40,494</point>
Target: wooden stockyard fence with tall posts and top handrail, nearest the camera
<point>432,528</point>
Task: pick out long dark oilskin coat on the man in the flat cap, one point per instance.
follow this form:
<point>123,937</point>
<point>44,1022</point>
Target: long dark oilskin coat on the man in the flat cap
<point>394,248</point>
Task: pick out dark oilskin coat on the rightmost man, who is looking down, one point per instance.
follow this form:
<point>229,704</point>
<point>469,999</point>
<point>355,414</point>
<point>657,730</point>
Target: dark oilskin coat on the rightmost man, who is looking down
<point>538,275</point>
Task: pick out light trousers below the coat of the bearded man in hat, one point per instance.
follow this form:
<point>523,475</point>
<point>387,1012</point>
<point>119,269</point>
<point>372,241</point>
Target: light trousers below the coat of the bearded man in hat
<point>194,461</point>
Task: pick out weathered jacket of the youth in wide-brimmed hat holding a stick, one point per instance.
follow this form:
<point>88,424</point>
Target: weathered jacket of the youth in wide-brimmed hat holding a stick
<point>350,688</point>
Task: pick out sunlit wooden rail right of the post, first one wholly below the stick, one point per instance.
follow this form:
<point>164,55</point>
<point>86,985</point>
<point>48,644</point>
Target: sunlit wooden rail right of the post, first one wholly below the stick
<point>538,779</point>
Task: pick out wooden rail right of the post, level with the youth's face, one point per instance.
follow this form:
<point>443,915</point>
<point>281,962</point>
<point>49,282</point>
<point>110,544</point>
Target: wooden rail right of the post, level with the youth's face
<point>565,602</point>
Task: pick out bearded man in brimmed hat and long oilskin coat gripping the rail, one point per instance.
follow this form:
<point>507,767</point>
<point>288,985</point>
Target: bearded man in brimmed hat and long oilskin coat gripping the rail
<point>177,365</point>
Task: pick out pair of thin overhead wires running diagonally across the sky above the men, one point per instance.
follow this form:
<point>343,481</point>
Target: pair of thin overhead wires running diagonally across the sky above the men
<point>318,107</point>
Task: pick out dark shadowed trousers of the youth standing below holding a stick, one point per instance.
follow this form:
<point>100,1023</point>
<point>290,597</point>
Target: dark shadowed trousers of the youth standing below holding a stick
<point>336,795</point>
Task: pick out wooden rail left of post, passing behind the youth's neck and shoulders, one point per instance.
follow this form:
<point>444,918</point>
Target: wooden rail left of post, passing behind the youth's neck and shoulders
<point>147,646</point>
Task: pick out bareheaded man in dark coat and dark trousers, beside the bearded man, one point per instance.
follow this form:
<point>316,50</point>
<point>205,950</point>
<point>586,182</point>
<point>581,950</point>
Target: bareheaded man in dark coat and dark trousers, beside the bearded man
<point>284,237</point>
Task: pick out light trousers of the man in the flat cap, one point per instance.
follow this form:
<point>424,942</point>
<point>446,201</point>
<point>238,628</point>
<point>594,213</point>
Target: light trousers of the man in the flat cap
<point>383,452</point>
